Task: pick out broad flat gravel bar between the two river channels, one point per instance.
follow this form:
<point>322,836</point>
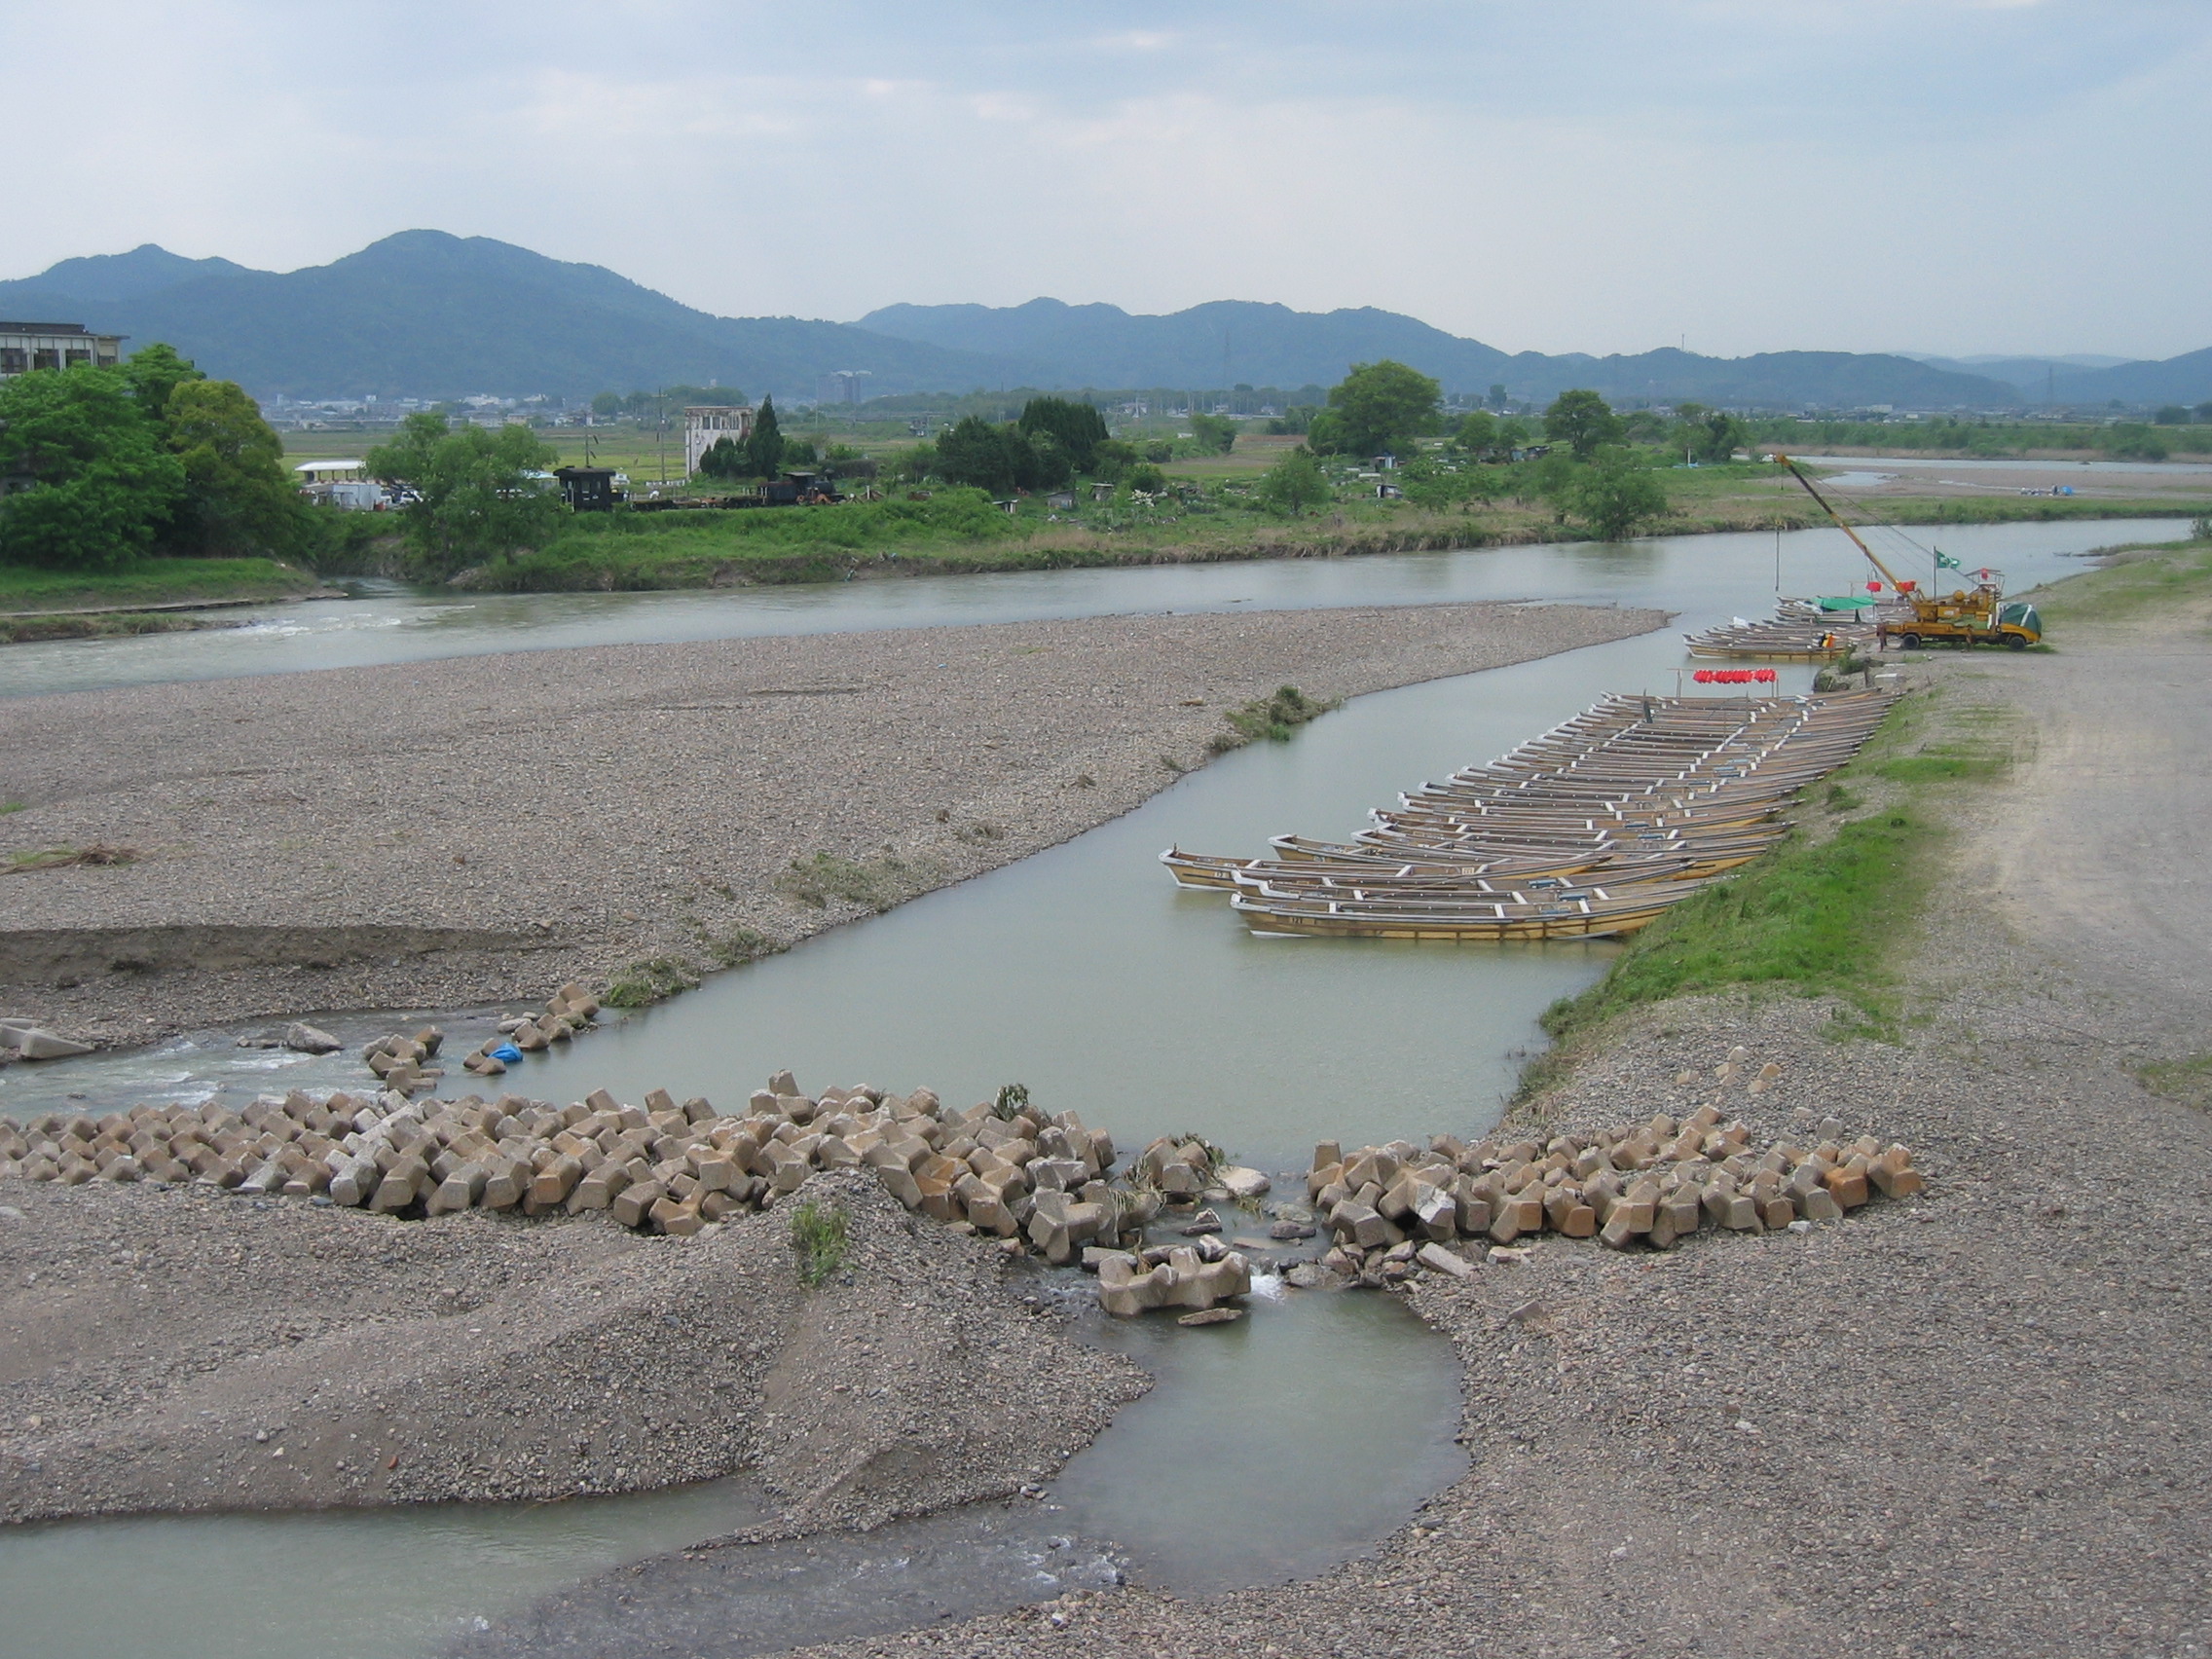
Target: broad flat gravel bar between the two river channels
<point>486,828</point>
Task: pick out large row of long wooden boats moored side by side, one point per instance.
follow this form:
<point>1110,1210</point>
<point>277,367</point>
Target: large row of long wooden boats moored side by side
<point>1594,828</point>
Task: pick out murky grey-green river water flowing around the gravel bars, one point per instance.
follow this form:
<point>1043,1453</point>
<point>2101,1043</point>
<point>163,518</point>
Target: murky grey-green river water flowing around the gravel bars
<point>1081,972</point>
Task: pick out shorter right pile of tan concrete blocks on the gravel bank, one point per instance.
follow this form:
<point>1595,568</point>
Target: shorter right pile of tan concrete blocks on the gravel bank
<point>1645,1185</point>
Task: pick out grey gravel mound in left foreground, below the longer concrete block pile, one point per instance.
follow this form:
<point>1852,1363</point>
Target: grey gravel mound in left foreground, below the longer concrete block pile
<point>178,1350</point>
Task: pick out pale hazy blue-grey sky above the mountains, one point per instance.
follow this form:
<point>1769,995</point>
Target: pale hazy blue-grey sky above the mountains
<point>1939,176</point>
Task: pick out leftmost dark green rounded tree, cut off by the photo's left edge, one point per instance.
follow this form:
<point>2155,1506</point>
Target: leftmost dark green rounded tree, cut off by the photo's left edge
<point>103,486</point>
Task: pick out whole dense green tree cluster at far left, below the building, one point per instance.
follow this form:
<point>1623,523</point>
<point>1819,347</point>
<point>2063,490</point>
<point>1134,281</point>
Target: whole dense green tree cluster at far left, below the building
<point>112,463</point>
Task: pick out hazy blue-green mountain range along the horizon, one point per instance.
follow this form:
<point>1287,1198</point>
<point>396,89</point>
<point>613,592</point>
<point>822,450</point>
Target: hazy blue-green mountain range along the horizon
<point>435,317</point>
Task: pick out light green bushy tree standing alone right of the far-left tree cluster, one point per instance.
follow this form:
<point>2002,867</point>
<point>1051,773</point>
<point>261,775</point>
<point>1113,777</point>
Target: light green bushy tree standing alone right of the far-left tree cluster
<point>474,492</point>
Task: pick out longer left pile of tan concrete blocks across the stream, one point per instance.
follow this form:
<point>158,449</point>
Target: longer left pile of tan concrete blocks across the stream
<point>660,1167</point>
